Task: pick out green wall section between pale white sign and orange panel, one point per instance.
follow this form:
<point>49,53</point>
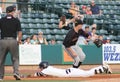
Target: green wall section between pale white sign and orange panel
<point>52,54</point>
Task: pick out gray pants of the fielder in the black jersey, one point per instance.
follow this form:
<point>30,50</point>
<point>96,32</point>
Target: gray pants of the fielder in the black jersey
<point>78,51</point>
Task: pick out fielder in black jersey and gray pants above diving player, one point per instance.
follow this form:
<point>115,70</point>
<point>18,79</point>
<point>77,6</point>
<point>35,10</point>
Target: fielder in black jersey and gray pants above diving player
<point>70,43</point>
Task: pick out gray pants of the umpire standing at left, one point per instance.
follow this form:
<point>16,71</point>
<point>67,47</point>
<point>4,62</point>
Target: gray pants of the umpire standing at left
<point>9,45</point>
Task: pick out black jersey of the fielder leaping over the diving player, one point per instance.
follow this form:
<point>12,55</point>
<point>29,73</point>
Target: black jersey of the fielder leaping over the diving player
<point>72,37</point>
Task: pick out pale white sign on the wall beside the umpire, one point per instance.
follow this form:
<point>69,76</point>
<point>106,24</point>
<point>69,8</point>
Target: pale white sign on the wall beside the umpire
<point>29,54</point>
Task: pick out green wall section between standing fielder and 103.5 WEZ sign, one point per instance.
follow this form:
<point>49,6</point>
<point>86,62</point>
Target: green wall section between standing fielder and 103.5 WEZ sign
<point>93,55</point>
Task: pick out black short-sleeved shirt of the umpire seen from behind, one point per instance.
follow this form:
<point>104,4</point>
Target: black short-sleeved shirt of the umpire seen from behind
<point>9,26</point>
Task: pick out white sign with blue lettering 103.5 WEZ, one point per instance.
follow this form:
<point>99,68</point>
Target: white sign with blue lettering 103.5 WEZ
<point>111,53</point>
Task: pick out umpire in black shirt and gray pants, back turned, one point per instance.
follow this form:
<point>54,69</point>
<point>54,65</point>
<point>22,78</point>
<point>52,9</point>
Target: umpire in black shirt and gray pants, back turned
<point>11,35</point>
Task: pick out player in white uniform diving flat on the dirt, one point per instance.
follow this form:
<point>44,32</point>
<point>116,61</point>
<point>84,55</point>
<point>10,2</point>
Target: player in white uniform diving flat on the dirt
<point>46,69</point>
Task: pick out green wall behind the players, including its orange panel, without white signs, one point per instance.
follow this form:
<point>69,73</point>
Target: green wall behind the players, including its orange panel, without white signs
<point>55,54</point>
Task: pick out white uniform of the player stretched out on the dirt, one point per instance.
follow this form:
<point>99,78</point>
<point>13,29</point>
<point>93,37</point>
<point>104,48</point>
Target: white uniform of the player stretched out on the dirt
<point>70,72</point>
